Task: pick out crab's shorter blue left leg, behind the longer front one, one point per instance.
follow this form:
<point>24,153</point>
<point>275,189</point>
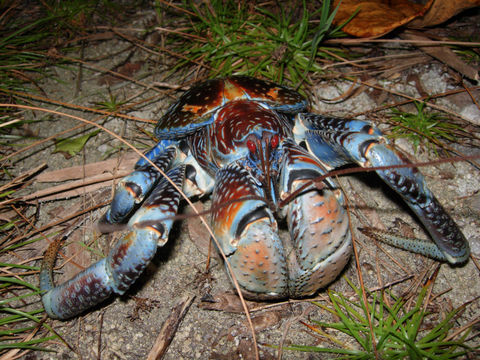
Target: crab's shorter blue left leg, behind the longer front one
<point>133,188</point>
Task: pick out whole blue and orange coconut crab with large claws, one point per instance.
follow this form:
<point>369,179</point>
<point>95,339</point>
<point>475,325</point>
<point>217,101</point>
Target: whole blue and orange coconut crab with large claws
<point>253,146</point>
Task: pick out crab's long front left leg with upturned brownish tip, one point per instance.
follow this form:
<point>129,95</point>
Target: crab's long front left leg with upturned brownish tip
<point>148,229</point>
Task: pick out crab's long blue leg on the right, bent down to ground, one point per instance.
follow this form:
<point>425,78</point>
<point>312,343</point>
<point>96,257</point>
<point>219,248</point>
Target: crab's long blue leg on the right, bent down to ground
<point>341,141</point>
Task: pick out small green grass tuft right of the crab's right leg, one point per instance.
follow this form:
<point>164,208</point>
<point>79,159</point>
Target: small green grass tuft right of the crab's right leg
<point>423,128</point>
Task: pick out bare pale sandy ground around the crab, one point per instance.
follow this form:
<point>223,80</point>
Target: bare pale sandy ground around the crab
<point>178,269</point>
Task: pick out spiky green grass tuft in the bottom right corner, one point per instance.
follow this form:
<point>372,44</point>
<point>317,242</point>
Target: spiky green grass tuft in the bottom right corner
<point>399,332</point>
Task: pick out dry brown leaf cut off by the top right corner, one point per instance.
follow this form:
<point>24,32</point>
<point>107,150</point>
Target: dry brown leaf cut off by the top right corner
<point>441,11</point>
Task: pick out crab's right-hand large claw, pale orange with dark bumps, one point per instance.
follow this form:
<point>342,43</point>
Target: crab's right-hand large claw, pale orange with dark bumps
<point>317,221</point>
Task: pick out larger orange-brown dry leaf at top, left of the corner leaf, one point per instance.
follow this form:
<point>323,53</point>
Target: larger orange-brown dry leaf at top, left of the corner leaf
<point>377,17</point>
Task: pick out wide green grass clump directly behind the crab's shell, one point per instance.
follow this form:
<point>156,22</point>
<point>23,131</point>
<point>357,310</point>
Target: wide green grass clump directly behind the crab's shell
<point>278,43</point>
